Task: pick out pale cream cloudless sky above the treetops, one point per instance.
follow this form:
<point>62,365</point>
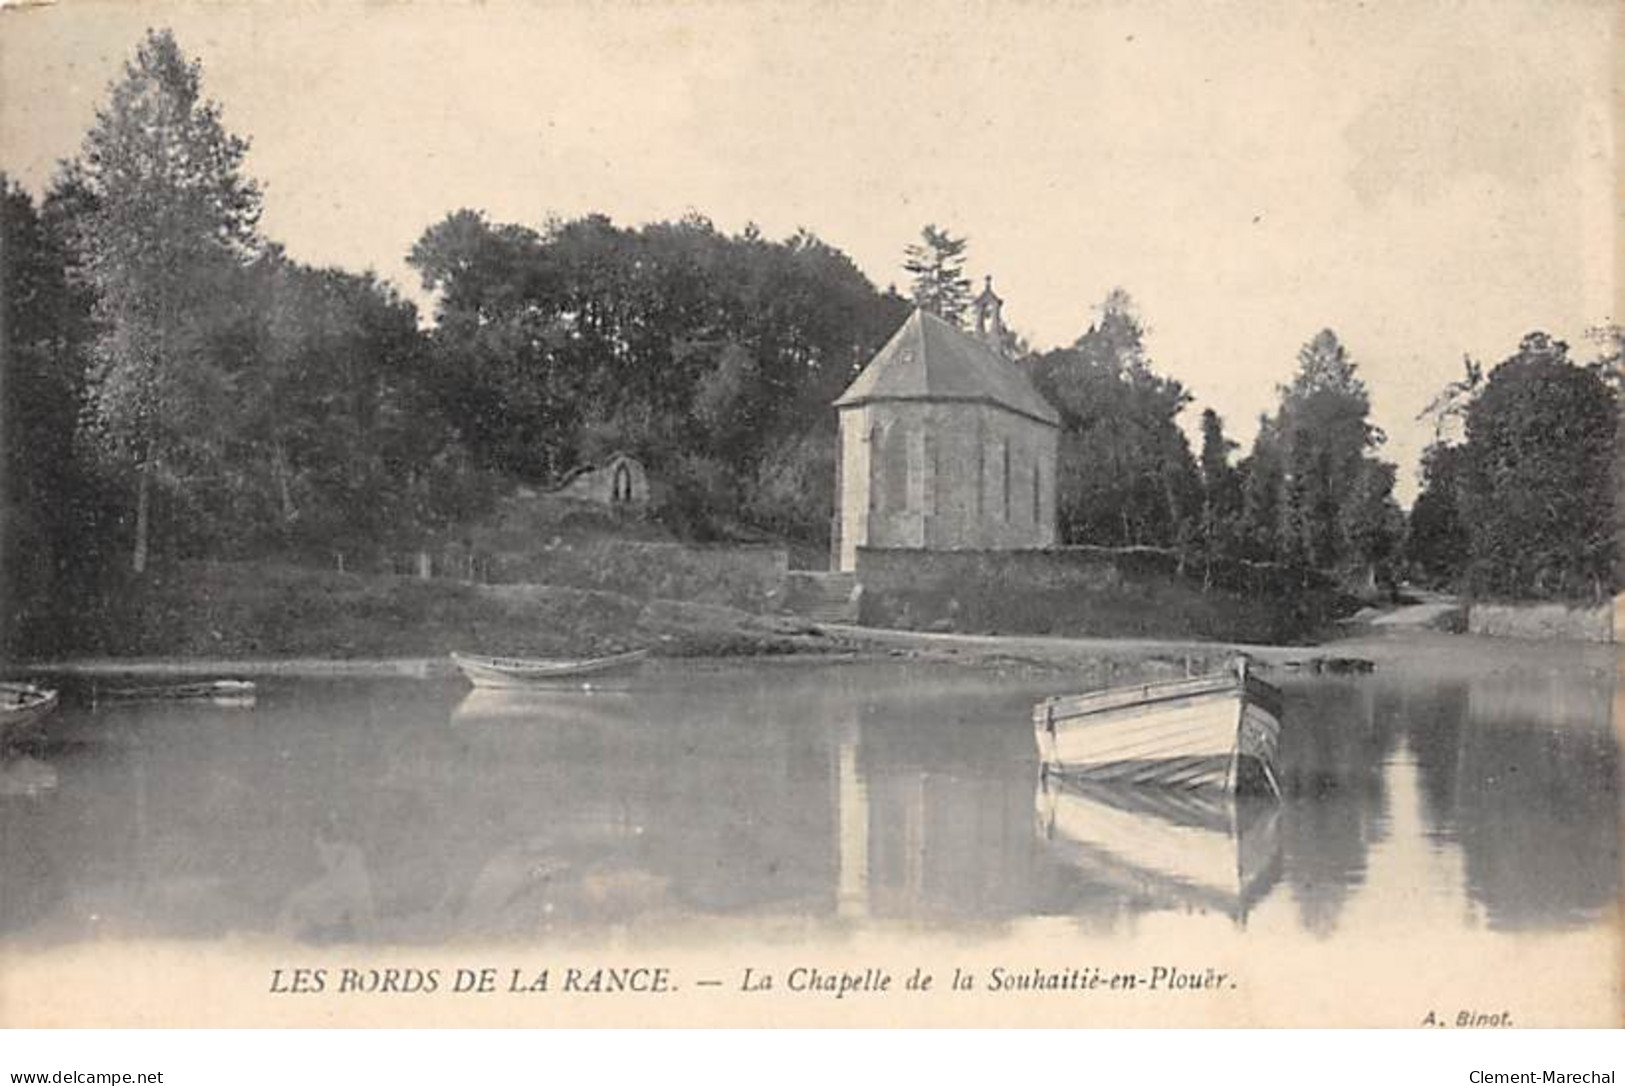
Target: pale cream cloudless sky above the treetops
<point>1428,180</point>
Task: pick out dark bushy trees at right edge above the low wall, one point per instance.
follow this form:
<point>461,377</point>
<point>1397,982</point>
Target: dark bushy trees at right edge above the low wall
<point>1523,505</point>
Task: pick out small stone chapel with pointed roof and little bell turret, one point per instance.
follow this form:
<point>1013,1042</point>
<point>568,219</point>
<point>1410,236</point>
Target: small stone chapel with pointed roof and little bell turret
<point>945,445</point>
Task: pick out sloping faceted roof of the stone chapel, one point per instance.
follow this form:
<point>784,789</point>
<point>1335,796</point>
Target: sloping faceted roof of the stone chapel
<point>932,360</point>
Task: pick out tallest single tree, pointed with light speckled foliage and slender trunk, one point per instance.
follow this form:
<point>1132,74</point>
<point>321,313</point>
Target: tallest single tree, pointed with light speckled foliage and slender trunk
<point>168,217</point>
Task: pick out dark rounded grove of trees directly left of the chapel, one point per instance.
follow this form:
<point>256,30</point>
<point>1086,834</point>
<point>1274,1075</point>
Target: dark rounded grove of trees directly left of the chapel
<point>713,357</point>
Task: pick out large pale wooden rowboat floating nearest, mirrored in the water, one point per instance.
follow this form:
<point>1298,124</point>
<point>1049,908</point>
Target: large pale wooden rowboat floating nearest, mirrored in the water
<point>1218,731</point>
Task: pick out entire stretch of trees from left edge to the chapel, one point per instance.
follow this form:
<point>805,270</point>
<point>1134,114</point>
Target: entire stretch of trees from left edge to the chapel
<point>176,386</point>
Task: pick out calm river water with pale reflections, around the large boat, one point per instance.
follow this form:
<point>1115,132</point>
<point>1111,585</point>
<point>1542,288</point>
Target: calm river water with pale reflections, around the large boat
<point>414,812</point>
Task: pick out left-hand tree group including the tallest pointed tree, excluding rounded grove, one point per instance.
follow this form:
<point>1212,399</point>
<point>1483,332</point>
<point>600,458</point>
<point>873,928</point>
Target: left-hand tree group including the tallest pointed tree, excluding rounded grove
<point>176,386</point>
